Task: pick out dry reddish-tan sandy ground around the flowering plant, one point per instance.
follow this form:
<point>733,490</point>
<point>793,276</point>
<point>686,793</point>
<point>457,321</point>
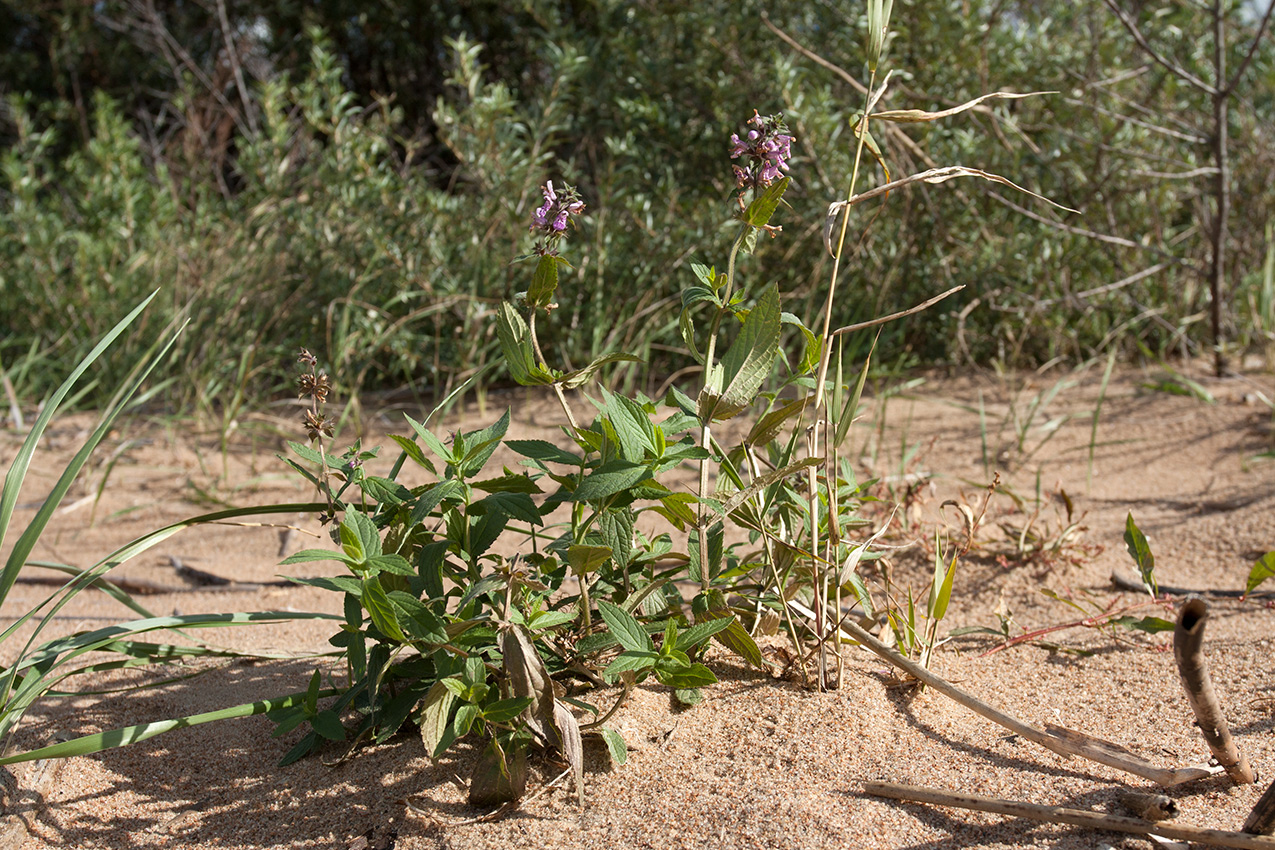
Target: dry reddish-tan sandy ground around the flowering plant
<point>763,763</point>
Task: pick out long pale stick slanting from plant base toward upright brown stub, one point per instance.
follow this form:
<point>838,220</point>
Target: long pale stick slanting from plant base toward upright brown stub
<point>1065,742</point>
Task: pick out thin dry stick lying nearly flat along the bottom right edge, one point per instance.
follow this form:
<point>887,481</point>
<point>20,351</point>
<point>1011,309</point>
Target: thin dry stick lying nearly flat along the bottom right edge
<point>1075,818</point>
